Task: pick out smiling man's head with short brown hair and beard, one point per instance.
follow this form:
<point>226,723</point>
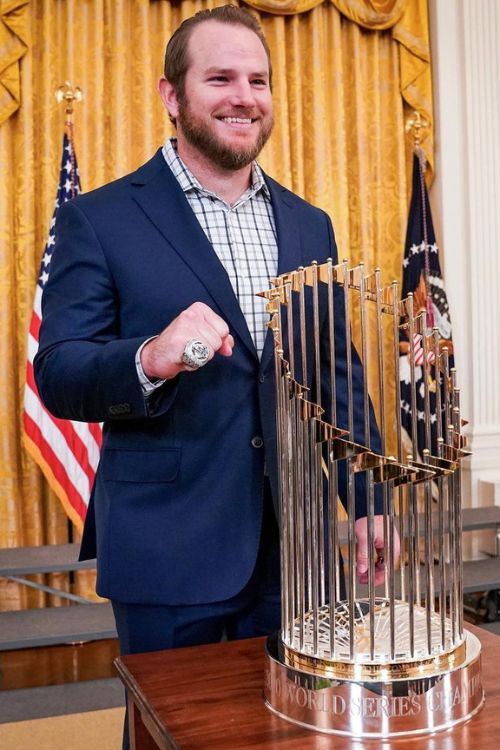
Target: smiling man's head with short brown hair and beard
<point>218,93</point>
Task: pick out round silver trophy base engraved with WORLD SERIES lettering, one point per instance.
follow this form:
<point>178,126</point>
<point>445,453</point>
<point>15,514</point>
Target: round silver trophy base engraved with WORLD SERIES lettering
<point>375,709</point>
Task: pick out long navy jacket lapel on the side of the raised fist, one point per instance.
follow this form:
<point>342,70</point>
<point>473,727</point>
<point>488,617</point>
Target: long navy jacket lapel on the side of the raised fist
<point>160,197</point>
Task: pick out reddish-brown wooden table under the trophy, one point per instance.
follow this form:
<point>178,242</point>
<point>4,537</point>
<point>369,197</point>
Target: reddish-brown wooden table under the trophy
<point>210,698</point>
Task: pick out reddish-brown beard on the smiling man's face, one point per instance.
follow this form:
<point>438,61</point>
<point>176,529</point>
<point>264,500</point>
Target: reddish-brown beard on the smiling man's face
<point>227,157</point>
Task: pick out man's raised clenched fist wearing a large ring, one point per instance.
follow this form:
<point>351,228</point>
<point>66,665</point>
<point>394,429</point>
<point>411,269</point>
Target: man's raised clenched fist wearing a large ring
<point>162,356</point>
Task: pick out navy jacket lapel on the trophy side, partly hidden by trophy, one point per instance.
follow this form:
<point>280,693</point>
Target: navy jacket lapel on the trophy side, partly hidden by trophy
<point>289,248</point>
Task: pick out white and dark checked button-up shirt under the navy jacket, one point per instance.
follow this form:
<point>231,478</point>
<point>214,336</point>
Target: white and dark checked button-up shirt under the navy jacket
<point>242,235</point>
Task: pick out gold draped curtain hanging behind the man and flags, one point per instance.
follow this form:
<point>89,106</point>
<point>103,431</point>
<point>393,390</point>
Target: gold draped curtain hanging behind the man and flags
<point>342,88</point>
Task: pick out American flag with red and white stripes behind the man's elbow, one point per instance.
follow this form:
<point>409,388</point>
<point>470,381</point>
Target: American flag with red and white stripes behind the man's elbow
<point>66,451</point>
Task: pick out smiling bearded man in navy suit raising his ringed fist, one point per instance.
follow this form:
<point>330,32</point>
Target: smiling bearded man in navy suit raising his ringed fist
<point>151,325</point>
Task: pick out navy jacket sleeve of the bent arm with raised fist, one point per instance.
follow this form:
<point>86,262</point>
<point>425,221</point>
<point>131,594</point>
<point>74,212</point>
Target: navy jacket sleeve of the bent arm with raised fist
<point>83,369</point>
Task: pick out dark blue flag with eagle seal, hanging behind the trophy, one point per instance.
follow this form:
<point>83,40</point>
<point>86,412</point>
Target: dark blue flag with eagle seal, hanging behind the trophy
<point>423,278</point>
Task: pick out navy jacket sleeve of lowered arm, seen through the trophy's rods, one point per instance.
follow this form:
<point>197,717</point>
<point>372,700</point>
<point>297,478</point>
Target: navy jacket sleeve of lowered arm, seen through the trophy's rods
<point>341,401</point>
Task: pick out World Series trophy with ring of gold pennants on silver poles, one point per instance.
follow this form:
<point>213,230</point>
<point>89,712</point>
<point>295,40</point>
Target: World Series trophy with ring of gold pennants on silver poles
<point>372,661</point>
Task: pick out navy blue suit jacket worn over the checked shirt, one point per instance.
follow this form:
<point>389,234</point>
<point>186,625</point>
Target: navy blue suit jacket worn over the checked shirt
<point>176,509</point>
